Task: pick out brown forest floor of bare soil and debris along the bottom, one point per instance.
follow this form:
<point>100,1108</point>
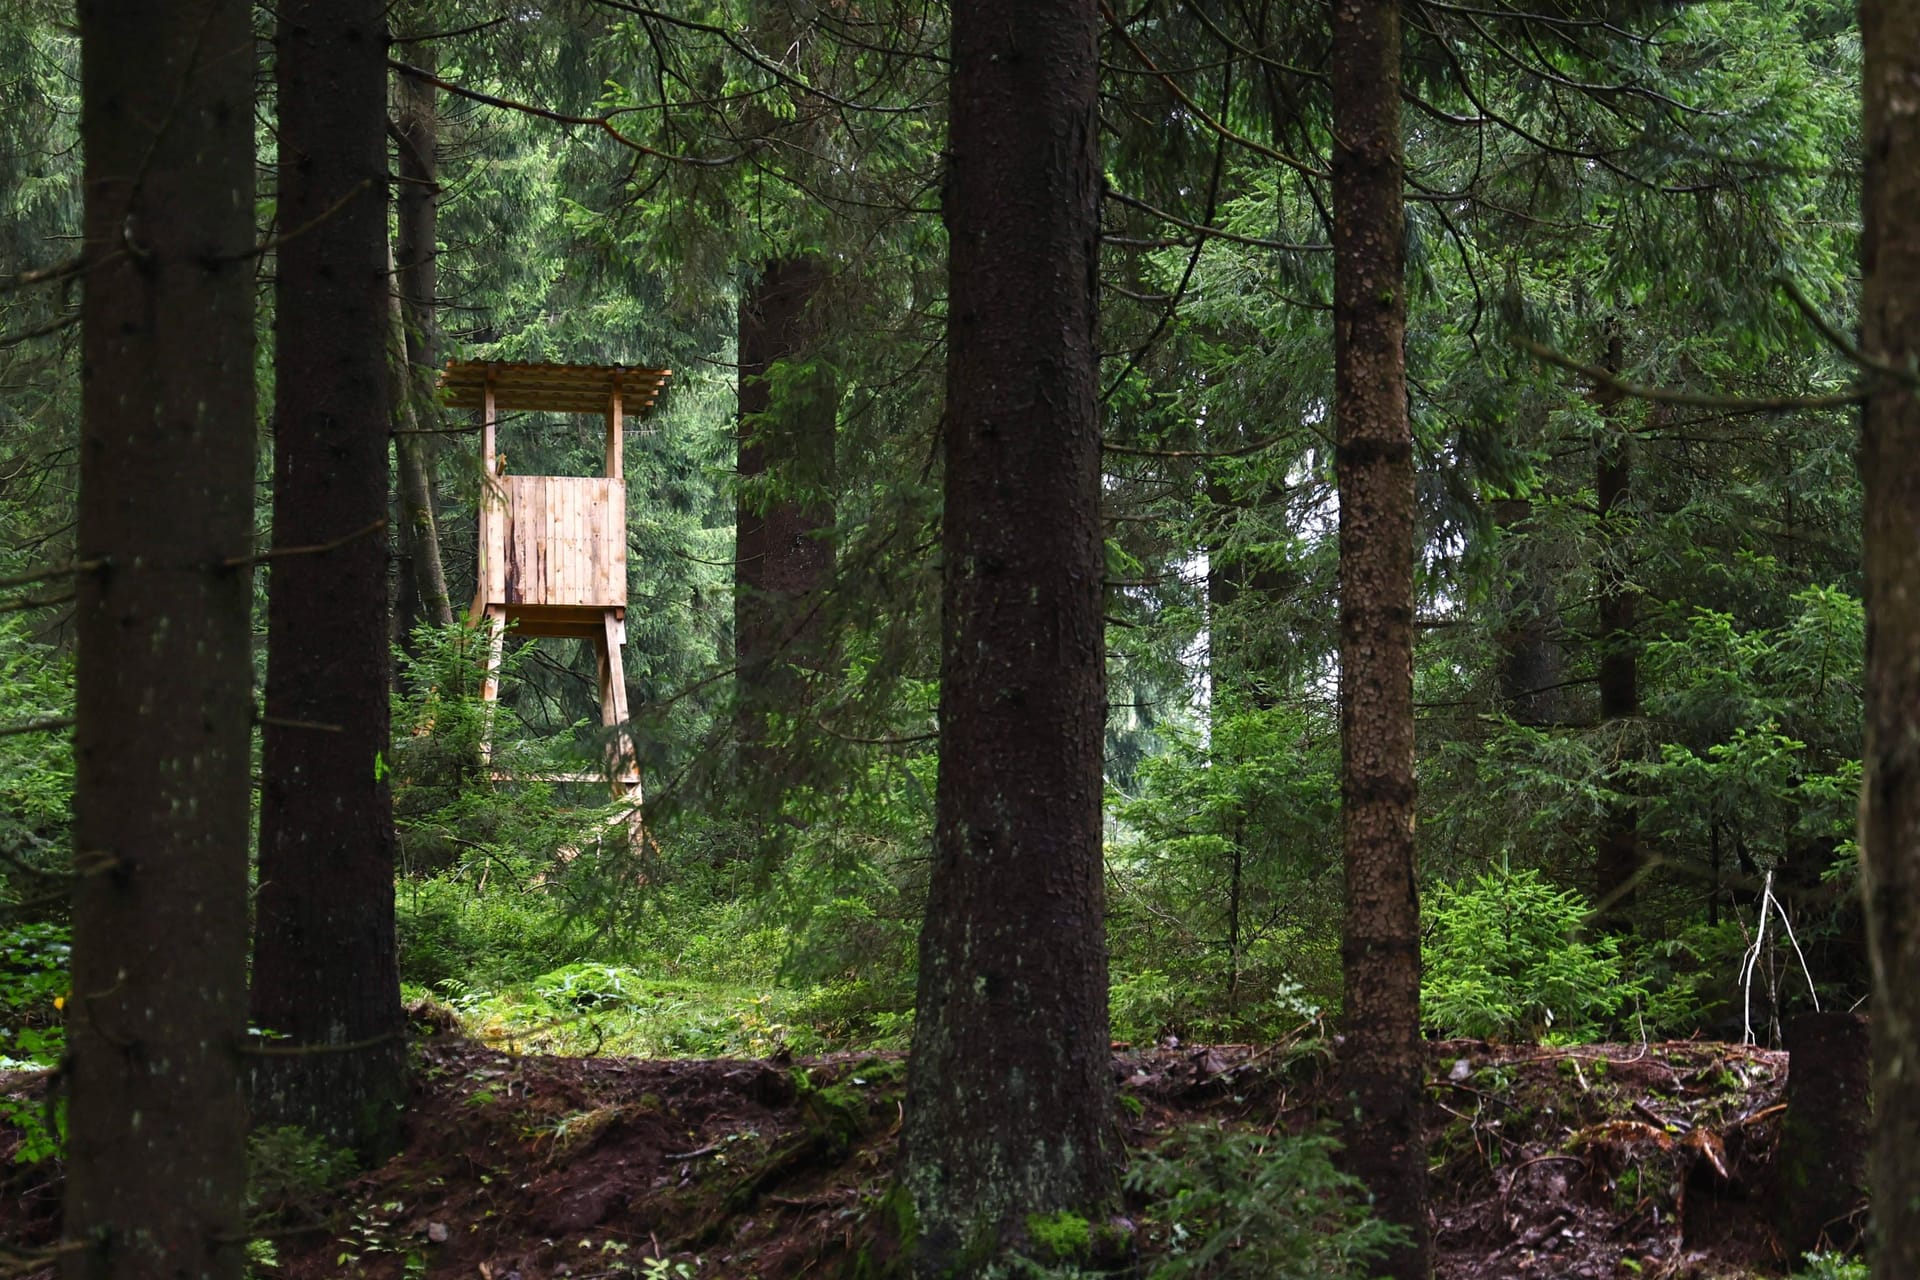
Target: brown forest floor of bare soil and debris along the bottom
<point>1593,1162</point>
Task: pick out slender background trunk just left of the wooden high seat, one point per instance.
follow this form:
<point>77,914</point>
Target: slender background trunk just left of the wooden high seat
<point>416,279</point>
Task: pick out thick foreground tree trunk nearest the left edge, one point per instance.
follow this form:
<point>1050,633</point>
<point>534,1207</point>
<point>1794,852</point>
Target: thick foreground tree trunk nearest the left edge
<point>156,1150</point>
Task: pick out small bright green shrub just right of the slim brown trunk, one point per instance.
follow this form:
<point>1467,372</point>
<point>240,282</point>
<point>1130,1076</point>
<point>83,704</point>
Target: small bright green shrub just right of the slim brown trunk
<point>1510,957</point>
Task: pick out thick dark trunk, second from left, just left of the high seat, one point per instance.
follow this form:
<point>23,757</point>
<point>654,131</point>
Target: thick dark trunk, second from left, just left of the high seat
<point>325,976</point>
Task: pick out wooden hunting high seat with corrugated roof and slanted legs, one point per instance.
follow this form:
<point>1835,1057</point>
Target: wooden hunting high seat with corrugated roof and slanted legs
<point>554,548</point>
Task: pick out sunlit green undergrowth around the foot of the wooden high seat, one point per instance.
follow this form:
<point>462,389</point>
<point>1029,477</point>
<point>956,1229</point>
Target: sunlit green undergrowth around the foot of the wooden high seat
<point>546,930</point>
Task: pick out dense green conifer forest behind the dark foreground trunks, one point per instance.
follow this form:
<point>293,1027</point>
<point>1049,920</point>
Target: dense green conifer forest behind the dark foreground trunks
<point>1633,243</point>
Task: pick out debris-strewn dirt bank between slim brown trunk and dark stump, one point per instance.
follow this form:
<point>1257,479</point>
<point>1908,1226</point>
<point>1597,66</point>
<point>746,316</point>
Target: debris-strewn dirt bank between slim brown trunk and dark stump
<point>1606,1160</point>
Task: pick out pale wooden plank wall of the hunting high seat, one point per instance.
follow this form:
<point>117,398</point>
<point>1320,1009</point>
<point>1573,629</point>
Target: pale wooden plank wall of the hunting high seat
<point>562,542</point>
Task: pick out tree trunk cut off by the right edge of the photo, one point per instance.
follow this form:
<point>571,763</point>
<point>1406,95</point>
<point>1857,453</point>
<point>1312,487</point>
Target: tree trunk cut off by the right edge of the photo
<point>1890,473</point>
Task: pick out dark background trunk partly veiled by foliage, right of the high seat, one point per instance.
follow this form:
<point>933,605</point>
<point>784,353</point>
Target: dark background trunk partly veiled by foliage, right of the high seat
<point>784,546</point>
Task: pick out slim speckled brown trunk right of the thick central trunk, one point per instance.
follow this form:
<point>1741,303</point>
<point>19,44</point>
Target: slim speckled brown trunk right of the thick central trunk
<point>1381,1062</point>
